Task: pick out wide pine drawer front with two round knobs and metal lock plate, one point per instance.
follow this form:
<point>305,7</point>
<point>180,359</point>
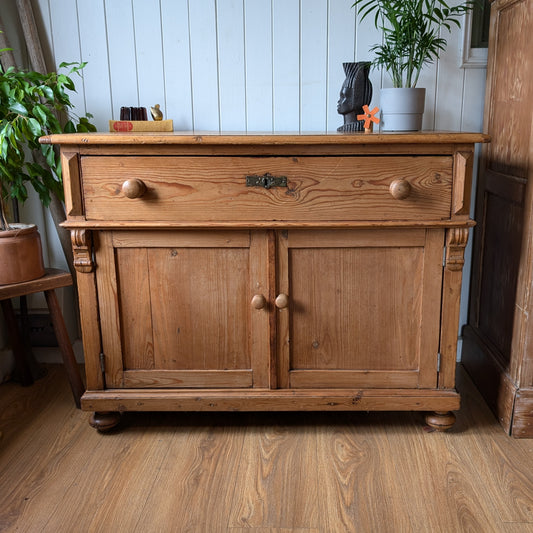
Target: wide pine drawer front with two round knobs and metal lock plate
<point>318,189</point>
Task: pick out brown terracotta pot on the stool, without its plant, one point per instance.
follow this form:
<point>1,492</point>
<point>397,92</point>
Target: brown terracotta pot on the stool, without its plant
<point>21,256</point>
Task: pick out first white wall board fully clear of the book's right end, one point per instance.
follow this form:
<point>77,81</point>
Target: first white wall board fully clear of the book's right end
<point>204,64</point>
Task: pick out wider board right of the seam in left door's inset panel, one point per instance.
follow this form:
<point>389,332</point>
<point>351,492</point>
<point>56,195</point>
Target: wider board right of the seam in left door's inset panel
<point>199,311</point>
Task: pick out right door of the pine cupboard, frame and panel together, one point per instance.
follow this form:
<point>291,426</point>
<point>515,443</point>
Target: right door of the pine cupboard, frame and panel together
<point>363,308</point>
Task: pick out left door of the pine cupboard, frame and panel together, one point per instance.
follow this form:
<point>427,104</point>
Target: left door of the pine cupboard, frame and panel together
<point>175,308</point>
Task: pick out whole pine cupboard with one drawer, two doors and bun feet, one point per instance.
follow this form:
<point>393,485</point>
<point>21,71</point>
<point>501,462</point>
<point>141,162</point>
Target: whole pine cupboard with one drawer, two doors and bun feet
<point>268,272</point>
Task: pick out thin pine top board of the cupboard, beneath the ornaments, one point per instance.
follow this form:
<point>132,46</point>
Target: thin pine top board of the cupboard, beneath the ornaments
<point>214,138</point>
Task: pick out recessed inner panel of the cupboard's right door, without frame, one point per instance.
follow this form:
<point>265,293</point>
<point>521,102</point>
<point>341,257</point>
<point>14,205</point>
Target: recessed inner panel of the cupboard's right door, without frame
<point>338,293</point>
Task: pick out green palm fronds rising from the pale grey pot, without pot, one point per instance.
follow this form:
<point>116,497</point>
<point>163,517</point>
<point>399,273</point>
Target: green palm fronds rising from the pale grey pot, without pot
<point>412,33</point>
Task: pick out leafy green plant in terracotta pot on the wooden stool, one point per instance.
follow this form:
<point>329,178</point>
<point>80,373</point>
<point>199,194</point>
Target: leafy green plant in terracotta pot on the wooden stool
<point>31,105</point>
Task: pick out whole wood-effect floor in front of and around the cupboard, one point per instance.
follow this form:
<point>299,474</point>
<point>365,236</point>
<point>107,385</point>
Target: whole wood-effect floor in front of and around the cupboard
<point>292,472</point>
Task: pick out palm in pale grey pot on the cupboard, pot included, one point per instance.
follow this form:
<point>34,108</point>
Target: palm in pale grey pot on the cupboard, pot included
<point>412,38</point>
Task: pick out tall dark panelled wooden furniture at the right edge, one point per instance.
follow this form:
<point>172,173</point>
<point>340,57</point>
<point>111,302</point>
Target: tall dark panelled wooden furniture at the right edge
<point>497,340</point>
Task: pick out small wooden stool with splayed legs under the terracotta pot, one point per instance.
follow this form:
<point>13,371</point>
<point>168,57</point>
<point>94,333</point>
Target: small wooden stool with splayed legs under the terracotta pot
<point>53,279</point>
